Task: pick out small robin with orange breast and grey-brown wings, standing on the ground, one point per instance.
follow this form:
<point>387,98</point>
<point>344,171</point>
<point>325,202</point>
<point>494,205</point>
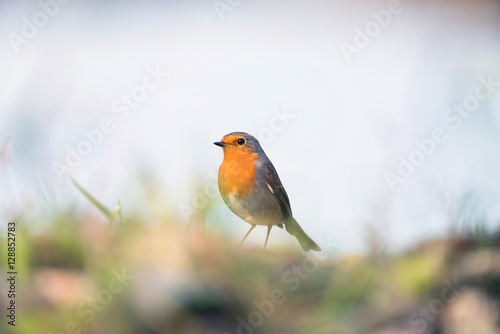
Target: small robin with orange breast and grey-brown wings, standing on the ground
<point>252,189</point>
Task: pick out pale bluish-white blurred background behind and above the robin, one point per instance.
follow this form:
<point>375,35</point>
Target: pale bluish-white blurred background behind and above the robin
<point>352,120</point>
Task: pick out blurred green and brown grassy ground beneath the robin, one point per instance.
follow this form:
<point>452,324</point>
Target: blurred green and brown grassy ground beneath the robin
<point>83,274</point>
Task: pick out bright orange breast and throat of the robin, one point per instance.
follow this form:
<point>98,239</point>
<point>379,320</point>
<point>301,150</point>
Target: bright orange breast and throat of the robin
<point>237,172</point>
